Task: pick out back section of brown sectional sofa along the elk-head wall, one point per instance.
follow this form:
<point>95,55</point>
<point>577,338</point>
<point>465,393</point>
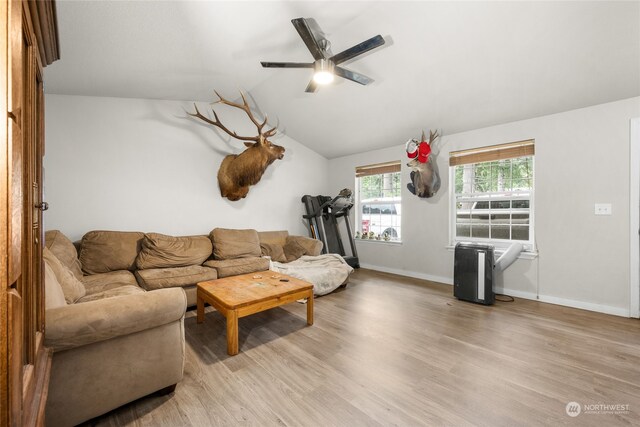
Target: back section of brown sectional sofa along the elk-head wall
<point>157,261</point>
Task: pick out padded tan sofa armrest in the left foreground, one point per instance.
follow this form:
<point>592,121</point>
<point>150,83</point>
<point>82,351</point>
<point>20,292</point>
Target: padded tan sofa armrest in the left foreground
<point>80,324</point>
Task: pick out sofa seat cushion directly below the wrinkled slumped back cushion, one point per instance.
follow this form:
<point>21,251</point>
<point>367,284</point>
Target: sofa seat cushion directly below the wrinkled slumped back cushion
<point>158,278</point>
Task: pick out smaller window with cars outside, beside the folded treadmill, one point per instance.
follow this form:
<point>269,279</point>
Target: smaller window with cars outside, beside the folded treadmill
<point>378,200</point>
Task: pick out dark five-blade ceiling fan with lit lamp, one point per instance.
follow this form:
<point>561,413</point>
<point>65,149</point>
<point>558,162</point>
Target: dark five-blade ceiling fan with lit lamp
<point>326,65</point>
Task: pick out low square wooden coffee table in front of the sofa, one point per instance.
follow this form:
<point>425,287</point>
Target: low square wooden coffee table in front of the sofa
<point>240,296</point>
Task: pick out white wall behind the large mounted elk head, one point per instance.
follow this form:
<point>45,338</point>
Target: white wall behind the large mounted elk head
<point>134,164</point>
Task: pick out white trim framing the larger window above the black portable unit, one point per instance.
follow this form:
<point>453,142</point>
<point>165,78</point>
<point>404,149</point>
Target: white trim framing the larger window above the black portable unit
<point>499,244</point>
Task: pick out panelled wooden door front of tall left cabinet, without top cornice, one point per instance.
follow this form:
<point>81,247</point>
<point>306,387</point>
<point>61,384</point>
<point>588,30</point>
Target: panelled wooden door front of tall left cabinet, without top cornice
<point>27,360</point>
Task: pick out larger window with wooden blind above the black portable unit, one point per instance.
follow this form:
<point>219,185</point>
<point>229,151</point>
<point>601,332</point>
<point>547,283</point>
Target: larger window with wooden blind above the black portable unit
<point>492,198</point>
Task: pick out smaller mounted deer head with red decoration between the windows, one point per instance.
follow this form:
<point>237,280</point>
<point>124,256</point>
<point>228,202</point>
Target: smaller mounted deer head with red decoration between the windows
<point>425,179</point>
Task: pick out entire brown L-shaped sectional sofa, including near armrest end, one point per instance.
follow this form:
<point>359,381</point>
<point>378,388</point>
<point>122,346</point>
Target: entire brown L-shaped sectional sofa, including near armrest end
<point>115,308</point>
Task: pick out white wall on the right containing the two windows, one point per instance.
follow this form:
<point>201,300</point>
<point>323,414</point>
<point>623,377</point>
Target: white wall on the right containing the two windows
<point>582,158</point>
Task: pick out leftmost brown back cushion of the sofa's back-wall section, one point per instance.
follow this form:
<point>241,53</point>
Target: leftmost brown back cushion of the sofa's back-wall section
<point>105,251</point>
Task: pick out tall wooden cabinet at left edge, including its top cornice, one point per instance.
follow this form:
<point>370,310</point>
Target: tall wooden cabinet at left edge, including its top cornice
<point>24,361</point>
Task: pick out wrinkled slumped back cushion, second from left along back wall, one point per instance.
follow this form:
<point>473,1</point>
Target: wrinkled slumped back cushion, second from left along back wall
<point>161,251</point>
